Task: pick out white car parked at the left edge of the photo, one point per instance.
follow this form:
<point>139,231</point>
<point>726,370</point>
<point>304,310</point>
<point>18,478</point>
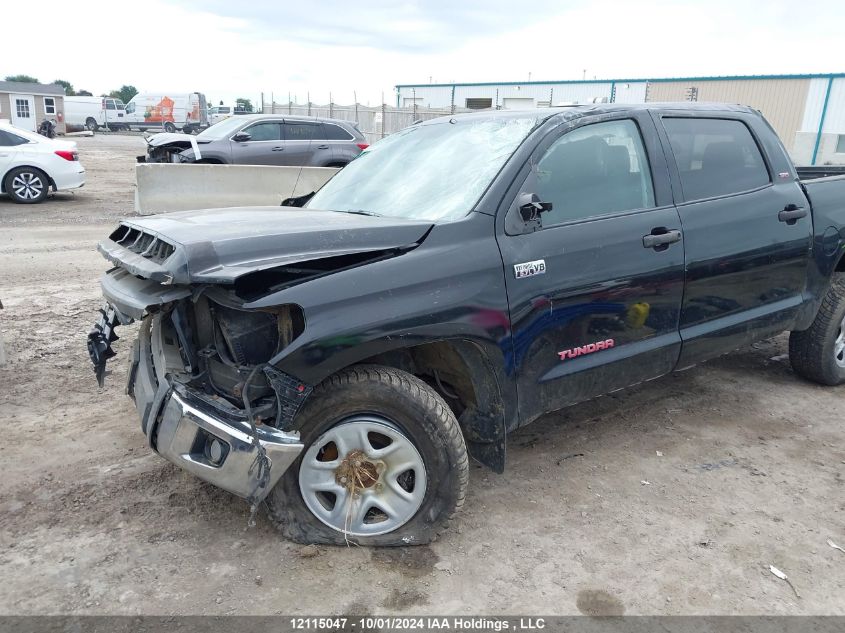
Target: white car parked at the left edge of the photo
<point>31,164</point>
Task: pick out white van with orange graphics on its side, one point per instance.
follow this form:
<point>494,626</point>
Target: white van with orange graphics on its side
<point>168,111</point>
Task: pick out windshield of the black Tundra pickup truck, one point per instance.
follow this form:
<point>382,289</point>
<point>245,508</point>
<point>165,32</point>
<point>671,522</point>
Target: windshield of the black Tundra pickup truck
<point>428,172</point>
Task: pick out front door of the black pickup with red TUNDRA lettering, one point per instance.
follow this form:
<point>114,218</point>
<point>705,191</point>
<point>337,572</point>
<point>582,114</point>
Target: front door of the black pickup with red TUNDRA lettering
<point>595,294</point>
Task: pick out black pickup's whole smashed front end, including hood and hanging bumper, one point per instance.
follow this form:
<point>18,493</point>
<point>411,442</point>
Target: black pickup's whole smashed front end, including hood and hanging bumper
<point>204,371</point>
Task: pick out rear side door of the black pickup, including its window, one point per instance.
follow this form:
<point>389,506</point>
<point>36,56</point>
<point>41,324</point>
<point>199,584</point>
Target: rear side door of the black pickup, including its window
<point>747,230</point>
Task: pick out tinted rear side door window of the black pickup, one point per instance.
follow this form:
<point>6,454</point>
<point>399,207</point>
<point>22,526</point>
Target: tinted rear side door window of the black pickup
<point>715,157</point>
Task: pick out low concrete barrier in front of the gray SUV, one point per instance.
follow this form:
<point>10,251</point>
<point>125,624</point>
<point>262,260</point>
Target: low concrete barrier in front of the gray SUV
<point>163,187</point>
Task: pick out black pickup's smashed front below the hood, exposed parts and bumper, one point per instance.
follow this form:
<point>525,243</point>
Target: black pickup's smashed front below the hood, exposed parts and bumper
<point>208,399</point>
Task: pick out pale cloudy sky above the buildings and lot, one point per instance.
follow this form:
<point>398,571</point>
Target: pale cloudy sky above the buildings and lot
<point>230,49</point>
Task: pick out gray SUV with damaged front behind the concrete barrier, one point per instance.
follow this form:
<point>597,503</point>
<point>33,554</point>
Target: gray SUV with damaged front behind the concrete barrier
<point>262,139</point>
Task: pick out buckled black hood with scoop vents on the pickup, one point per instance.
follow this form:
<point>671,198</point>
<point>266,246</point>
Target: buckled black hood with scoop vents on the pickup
<point>221,245</point>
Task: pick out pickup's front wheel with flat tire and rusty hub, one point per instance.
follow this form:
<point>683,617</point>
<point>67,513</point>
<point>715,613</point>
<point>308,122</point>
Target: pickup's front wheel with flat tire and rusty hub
<point>384,463</point>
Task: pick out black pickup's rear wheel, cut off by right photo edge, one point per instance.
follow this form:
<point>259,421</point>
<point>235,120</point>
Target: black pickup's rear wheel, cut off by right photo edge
<point>818,353</point>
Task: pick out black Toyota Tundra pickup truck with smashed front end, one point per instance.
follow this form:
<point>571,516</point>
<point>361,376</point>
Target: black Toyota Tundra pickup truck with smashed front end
<point>341,359</point>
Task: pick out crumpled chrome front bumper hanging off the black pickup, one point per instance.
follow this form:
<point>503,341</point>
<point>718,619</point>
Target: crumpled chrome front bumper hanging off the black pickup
<point>206,437</point>
